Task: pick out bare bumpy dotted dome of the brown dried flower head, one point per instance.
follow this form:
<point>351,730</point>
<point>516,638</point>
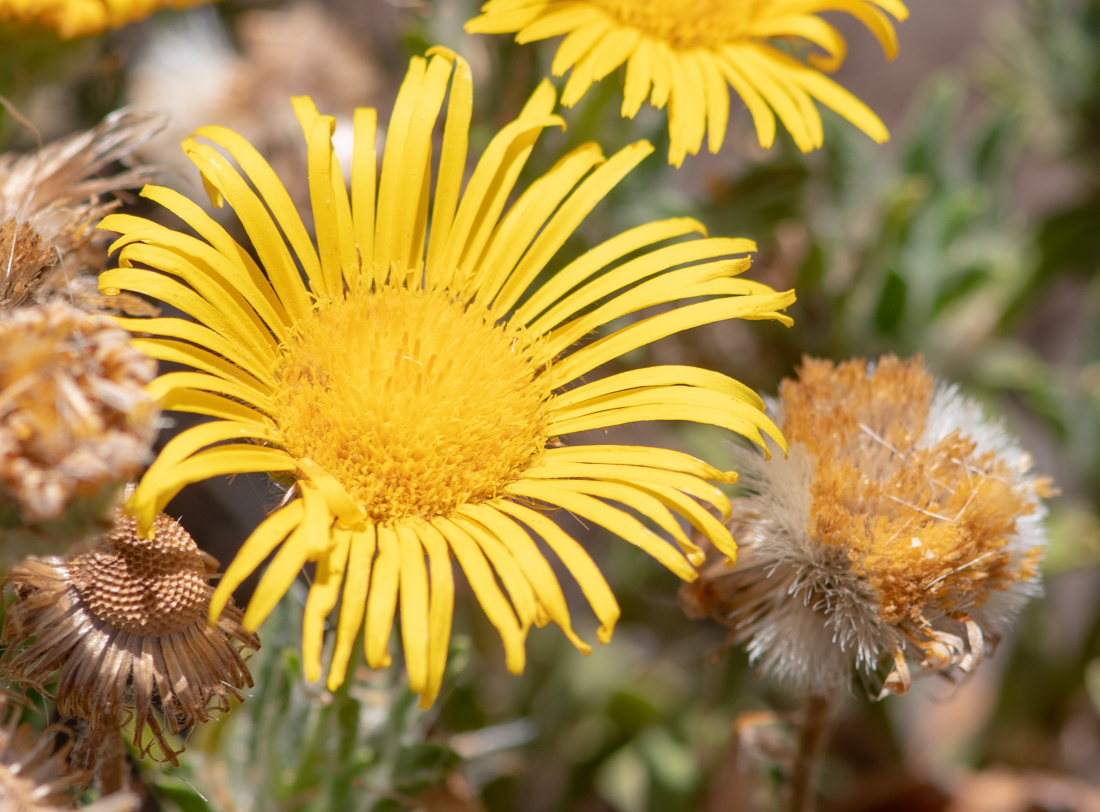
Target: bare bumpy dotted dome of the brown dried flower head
<point>148,588</point>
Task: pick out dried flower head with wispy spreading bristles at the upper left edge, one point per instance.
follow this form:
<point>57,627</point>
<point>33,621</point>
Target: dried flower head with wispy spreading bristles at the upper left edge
<point>50,203</point>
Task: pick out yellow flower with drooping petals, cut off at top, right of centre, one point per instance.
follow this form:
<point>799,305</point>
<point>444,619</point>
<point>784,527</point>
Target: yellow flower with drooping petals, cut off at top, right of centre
<point>686,53</point>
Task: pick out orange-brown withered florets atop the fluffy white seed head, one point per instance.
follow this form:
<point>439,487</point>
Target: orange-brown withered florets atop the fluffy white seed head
<point>927,525</point>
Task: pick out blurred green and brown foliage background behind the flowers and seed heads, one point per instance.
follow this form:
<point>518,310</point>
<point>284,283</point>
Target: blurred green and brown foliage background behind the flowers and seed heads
<point>972,238</point>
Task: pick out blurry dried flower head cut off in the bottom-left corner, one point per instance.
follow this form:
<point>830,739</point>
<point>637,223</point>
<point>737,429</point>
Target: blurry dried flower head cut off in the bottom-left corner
<point>35,770</point>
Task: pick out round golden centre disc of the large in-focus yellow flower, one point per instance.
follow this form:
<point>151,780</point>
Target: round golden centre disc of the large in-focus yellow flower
<point>413,401</point>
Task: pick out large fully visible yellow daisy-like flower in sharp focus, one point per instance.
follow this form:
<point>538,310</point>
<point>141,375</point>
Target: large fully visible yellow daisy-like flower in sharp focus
<point>415,386</point>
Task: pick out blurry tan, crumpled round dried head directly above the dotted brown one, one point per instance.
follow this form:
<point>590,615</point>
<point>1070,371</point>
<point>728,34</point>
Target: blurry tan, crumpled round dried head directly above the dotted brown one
<point>75,425</point>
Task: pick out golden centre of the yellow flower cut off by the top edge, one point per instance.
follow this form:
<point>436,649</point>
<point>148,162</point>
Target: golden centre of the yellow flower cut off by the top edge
<point>687,24</point>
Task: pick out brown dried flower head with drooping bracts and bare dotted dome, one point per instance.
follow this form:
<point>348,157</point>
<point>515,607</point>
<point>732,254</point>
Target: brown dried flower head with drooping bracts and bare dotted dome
<point>124,630</point>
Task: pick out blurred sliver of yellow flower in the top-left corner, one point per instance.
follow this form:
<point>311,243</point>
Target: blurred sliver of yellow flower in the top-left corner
<point>81,18</point>
